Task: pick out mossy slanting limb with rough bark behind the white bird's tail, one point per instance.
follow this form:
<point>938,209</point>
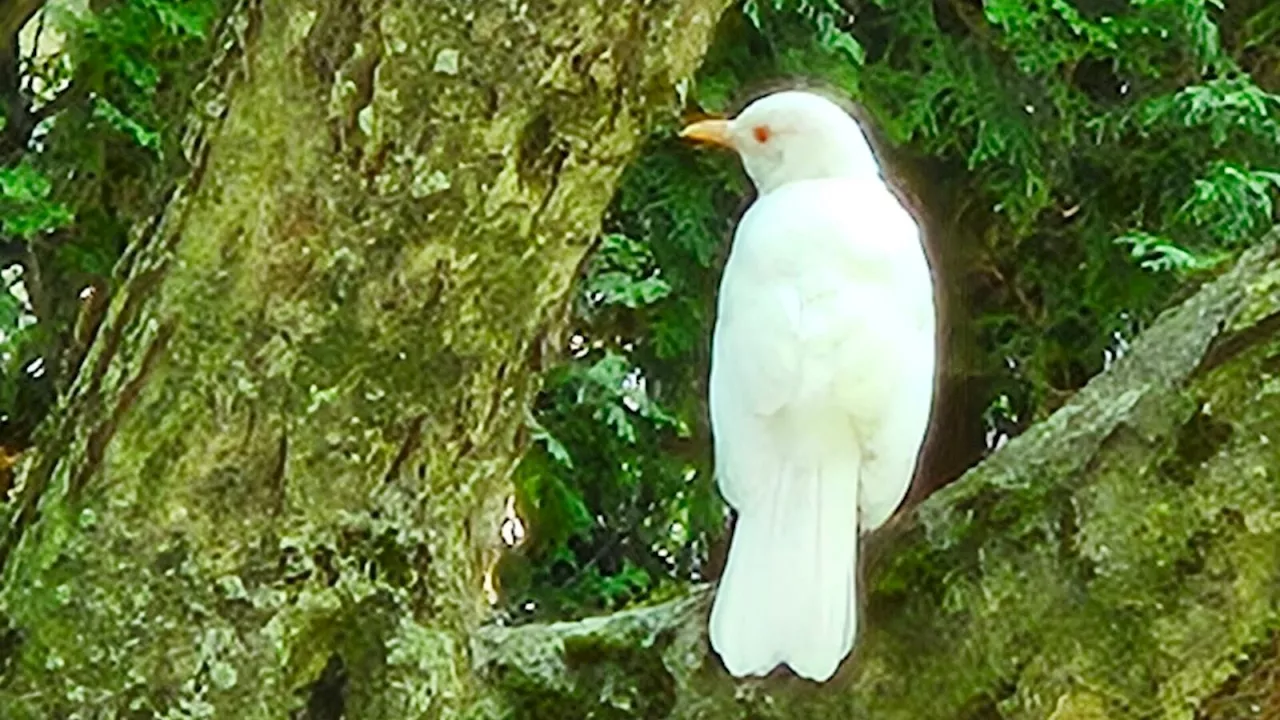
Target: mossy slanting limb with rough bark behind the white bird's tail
<point>1119,560</point>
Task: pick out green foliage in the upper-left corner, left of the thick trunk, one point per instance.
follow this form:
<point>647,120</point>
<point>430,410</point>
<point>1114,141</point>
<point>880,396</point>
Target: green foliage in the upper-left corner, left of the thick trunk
<point>109,97</point>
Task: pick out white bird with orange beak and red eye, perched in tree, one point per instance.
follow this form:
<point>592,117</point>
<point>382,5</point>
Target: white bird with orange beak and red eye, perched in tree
<point>821,381</point>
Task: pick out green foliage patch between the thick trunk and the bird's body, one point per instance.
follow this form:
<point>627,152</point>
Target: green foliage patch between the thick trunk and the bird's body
<point>615,489</point>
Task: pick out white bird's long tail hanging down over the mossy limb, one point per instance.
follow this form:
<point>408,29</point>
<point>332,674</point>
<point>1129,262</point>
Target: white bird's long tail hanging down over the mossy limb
<point>788,594</point>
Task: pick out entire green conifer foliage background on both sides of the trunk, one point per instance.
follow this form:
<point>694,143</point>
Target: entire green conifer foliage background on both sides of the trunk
<point>1077,163</point>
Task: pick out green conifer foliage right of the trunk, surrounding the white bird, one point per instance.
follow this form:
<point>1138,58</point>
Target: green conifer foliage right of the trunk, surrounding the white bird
<point>1086,161</point>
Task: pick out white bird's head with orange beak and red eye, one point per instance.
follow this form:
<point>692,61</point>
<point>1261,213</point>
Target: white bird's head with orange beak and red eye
<point>792,136</point>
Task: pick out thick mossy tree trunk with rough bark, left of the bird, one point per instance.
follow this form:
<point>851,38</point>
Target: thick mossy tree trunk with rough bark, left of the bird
<point>276,486</point>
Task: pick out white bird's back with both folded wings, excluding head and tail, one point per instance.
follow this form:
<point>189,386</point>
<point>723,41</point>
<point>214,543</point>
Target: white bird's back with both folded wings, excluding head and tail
<point>826,302</point>
